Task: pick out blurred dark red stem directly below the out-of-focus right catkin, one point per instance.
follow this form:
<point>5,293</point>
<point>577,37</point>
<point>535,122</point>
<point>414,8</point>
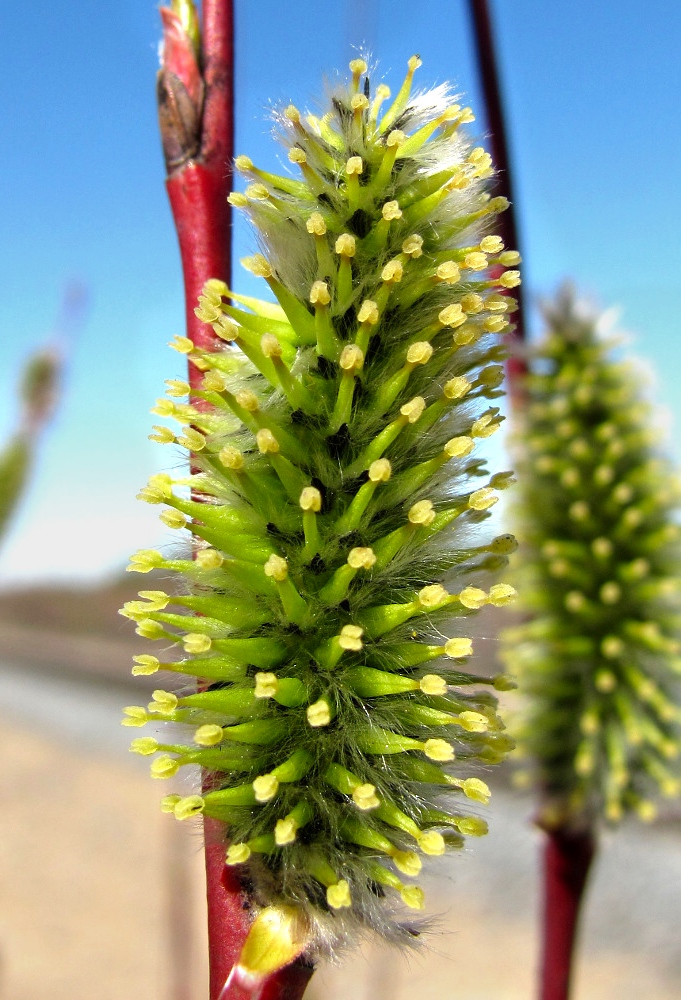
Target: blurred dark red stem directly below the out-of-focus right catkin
<point>567,860</point>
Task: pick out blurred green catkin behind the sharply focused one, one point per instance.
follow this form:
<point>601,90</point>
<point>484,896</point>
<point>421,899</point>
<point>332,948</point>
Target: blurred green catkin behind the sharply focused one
<point>598,658</point>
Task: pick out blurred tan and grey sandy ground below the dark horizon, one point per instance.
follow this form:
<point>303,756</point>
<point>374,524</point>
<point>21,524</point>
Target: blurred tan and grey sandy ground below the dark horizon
<point>101,895</point>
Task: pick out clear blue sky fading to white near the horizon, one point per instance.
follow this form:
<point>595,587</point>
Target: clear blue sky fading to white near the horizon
<point>591,92</point>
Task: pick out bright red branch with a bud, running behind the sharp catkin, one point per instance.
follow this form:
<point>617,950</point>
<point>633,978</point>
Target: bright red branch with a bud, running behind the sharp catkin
<point>198,187</point>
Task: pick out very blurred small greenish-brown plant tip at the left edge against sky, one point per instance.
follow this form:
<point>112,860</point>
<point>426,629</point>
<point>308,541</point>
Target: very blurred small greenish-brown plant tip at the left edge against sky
<point>37,394</point>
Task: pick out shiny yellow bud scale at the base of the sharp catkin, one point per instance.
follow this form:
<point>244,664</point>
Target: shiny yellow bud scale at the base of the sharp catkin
<point>278,935</point>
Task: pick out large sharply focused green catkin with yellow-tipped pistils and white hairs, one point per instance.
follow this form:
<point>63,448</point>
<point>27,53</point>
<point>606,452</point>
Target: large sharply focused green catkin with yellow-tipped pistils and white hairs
<point>337,534</point>
